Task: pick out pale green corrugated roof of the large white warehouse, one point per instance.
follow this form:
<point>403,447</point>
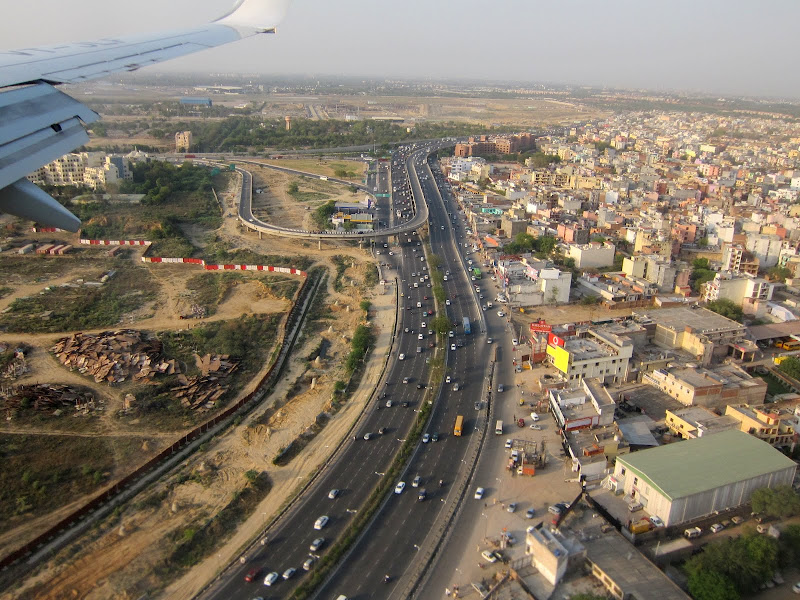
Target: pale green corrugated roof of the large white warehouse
<point>686,468</point>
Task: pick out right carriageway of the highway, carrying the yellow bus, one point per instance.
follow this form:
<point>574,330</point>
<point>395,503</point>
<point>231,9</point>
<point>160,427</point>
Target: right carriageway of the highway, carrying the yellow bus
<point>401,527</point>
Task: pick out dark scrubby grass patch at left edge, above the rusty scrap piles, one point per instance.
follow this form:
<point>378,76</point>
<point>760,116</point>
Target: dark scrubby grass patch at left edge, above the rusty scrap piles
<point>82,307</point>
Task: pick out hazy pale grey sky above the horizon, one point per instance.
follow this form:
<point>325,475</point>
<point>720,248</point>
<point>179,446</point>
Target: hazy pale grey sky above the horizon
<point>719,46</point>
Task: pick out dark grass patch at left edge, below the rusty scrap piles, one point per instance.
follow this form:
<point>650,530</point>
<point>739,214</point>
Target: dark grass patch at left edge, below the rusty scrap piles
<point>42,473</point>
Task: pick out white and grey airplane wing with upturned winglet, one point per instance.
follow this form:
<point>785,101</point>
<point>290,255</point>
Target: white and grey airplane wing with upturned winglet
<point>39,124</point>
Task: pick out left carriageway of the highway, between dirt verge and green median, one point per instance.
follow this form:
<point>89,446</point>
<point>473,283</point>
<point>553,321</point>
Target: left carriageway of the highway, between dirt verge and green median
<point>361,463</point>
